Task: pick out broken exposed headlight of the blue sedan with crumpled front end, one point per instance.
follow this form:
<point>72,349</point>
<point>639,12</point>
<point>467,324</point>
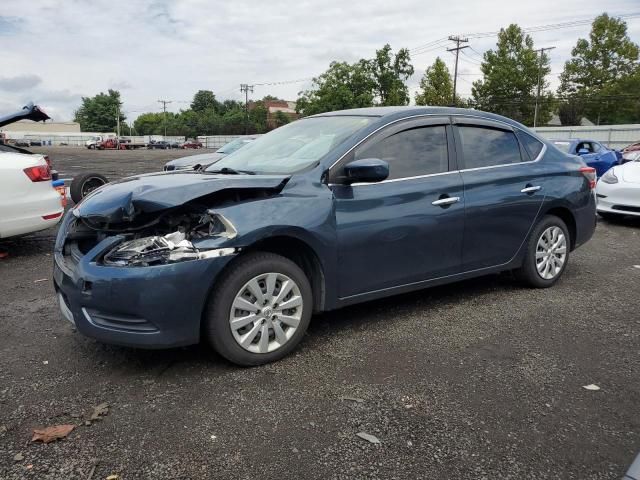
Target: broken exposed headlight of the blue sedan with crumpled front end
<point>159,250</point>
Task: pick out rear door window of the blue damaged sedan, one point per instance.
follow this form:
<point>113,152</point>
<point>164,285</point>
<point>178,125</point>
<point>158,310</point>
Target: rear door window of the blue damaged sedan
<point>487,147</point>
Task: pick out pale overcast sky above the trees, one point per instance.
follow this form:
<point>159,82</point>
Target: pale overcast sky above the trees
<point>54,52</point>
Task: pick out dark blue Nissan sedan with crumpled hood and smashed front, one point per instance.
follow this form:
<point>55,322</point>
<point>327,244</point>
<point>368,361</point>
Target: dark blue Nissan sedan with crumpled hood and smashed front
<point>327,211</point>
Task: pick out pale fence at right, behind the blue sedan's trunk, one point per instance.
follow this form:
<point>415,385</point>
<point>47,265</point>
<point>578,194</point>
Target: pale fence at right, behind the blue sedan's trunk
<point>614,136</point>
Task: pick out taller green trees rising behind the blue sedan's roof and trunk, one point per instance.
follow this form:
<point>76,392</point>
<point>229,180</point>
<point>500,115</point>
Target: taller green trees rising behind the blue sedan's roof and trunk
<point>600,82</point>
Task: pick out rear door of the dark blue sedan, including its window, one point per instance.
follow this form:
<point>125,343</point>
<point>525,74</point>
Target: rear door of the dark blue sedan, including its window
<point>503,190</point>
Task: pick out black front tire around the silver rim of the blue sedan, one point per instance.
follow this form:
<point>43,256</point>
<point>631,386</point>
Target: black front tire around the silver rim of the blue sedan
<point>216,328</point>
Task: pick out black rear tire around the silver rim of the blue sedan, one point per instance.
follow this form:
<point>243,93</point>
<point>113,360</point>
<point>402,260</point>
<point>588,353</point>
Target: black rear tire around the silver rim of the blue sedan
<point>528,273</point>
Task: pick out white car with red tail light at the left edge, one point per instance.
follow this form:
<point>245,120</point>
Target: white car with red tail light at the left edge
<point>28,201</point>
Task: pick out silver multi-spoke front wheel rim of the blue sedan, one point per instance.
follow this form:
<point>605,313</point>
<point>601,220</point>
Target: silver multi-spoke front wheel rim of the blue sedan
<point>266,312</point>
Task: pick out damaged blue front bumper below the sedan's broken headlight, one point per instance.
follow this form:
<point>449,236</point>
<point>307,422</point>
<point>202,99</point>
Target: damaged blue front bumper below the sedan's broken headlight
<point>155,306</point>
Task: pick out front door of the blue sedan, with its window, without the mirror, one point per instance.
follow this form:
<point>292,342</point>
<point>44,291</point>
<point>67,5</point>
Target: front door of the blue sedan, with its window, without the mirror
<point>408,228</point>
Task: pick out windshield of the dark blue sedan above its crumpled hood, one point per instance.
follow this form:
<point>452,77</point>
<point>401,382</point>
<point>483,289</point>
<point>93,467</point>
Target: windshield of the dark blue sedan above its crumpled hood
<point>293,147</point>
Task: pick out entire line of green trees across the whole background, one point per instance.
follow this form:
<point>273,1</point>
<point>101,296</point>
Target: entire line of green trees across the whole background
<point>601,82</point>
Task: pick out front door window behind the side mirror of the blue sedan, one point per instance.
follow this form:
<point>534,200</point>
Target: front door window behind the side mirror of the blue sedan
<point>410,153</point>
